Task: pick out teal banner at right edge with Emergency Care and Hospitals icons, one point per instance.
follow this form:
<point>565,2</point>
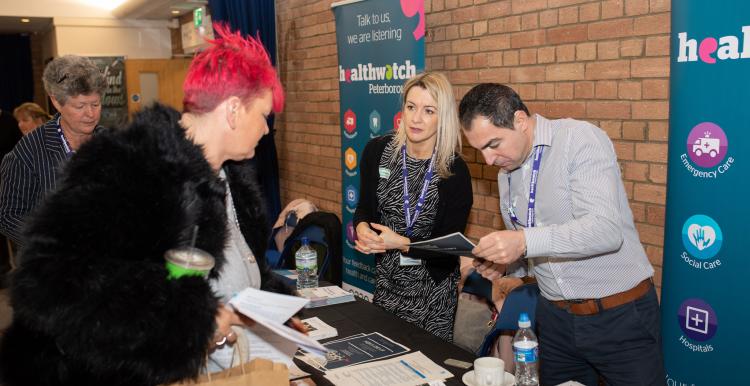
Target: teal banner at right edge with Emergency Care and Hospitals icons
<point>705,314</point>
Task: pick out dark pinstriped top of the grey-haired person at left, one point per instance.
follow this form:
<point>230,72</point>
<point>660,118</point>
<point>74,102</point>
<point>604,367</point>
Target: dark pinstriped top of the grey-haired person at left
<point>27,173</point>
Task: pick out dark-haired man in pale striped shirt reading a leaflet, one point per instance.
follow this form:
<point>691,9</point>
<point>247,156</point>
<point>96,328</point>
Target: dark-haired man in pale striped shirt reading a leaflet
<point>567,214</point>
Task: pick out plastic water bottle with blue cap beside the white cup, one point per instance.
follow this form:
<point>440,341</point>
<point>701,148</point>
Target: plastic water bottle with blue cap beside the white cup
<point>526,353</point>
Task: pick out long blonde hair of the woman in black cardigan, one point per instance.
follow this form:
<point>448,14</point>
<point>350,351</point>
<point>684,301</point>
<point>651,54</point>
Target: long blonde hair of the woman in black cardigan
<point>448,131</point>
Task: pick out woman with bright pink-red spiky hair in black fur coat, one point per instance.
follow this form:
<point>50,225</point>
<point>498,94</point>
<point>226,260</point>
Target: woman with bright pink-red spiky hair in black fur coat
<point>92,299</point>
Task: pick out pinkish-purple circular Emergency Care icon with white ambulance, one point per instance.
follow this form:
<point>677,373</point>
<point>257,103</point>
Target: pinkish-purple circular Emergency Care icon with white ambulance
<point>707,144</point>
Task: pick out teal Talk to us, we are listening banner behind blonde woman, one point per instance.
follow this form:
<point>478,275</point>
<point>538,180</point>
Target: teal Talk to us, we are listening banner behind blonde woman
<point>380,46</point>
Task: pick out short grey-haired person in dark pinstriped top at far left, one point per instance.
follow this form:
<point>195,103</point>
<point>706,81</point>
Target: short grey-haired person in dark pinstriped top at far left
<point>75,85</point>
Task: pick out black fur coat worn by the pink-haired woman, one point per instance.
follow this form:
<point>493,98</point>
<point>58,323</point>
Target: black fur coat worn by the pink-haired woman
<point>92,305</point>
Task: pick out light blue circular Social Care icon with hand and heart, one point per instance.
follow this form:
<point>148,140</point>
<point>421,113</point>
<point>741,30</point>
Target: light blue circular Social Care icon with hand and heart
<point>701,236</point>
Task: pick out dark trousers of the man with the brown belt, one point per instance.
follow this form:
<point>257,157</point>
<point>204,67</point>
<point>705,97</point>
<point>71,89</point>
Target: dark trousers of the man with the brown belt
<point>621,344</point>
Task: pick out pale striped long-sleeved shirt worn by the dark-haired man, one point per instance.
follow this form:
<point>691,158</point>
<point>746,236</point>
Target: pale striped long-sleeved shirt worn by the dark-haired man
<point>584,244</point>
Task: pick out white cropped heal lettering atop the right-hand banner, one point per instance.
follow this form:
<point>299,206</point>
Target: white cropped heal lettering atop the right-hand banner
<point>709,50</point>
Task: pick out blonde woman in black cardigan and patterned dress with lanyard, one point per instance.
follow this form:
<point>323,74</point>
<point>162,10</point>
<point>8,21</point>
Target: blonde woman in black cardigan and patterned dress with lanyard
<point>415,186</point>
